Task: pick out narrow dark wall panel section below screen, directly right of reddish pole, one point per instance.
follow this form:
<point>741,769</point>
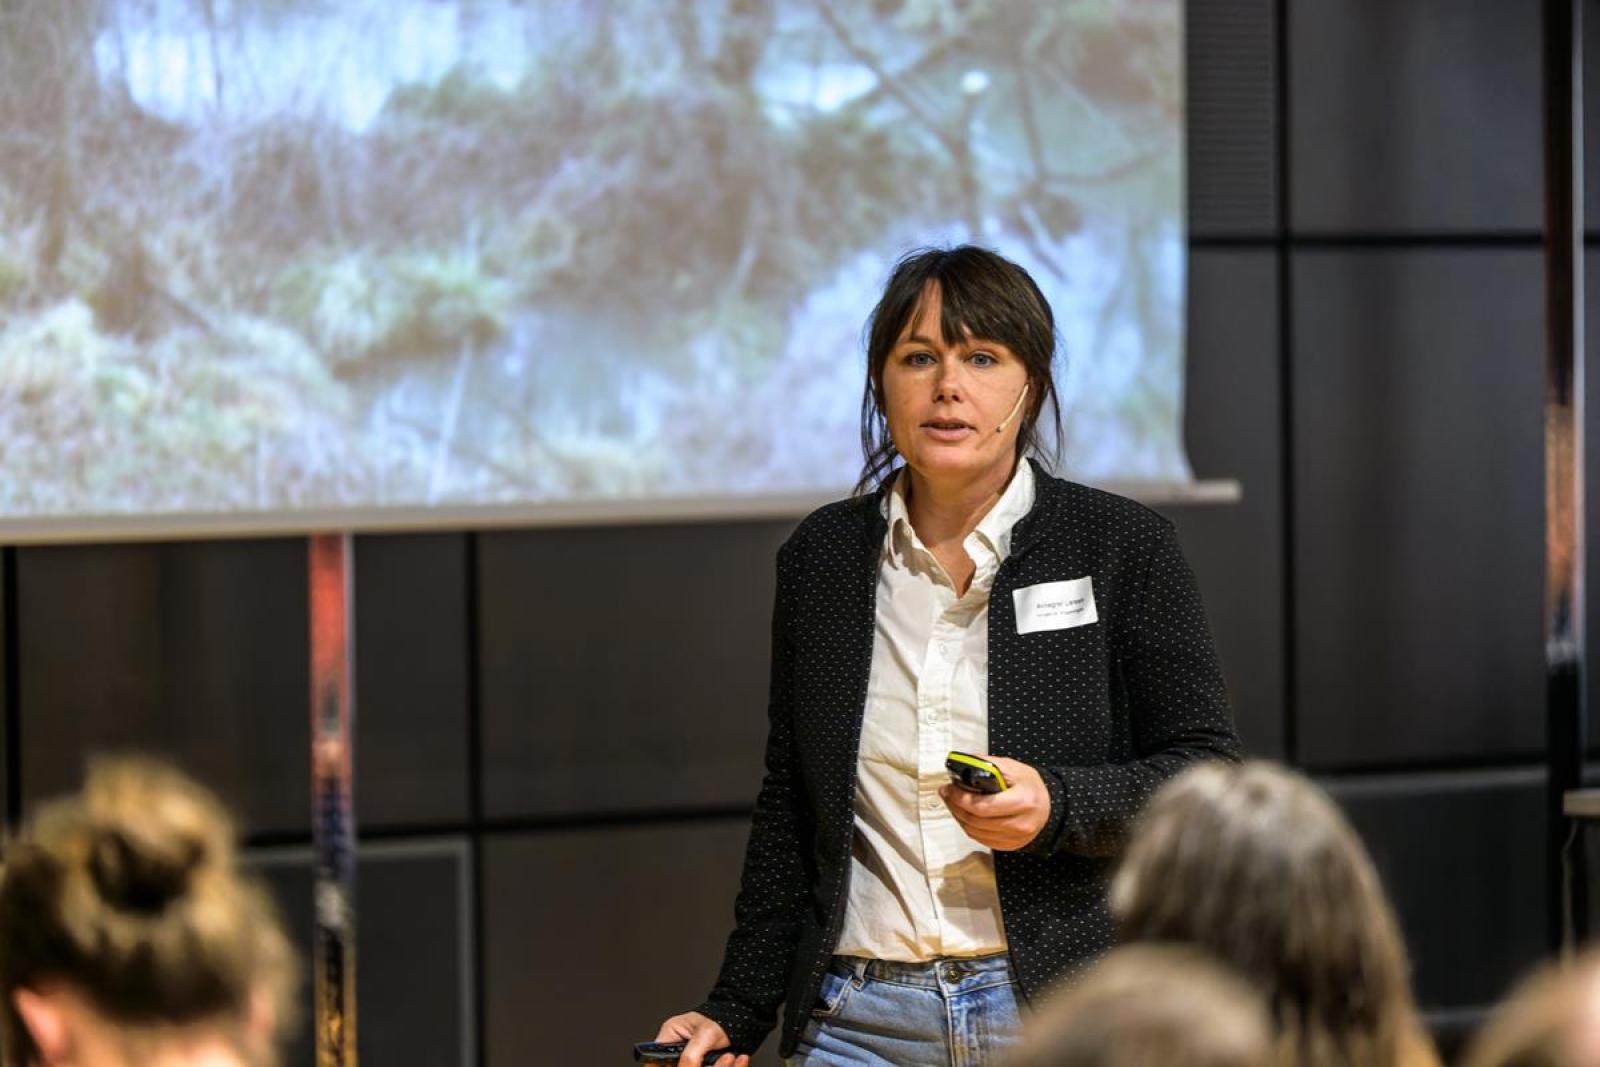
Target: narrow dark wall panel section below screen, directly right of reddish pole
<point>412,679</point>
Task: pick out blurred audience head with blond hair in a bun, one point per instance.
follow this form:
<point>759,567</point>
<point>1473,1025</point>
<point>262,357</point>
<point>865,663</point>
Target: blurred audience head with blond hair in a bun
<point>130,937</point>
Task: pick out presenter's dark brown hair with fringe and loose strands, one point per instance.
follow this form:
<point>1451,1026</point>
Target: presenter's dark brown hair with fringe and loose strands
<point>985,295</point>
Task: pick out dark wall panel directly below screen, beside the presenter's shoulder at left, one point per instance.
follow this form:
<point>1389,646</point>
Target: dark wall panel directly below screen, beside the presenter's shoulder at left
<point>625,669</point>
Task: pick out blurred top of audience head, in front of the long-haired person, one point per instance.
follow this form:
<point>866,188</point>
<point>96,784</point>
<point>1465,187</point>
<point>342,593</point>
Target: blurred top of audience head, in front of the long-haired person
<point>1151,1007</point>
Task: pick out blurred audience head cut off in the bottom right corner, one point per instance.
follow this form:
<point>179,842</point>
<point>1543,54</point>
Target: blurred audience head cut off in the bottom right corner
<point>1551,1021</point>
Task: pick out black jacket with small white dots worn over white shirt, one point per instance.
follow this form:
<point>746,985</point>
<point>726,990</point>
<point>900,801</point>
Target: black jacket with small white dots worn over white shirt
<point>1105,711</point>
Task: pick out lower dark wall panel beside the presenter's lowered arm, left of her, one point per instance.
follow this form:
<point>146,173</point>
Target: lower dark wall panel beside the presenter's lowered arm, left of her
<point>636,917</point>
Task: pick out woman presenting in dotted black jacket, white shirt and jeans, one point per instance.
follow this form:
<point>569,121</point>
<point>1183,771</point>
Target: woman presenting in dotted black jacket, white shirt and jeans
<point>961,601</point>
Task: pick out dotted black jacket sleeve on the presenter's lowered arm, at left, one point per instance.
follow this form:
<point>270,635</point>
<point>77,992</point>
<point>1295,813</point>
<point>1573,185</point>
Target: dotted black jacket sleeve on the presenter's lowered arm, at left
<point>775,884</point>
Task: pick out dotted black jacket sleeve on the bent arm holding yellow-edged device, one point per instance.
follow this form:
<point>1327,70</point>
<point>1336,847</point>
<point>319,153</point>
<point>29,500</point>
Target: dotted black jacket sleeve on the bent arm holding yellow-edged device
<point>1178,709</point>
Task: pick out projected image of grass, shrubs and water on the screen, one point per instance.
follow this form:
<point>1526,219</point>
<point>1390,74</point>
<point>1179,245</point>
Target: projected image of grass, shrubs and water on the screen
<point>362,254</point>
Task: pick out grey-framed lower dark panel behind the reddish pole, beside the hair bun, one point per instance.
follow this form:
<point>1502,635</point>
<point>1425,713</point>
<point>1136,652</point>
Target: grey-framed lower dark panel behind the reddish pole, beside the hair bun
<point>414,964</point>
